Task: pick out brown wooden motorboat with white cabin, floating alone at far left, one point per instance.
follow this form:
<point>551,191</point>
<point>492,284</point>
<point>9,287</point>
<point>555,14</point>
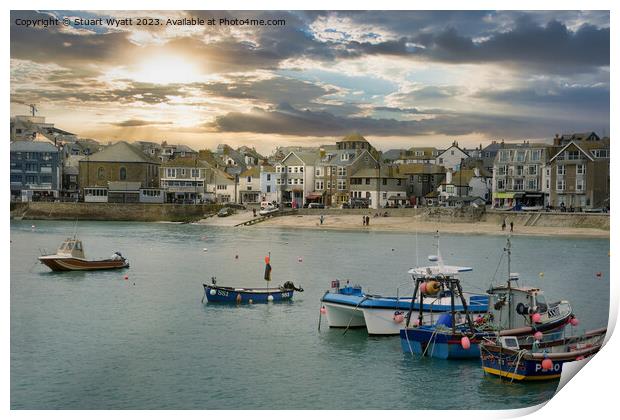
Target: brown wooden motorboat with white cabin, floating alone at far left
<point>70,257</point>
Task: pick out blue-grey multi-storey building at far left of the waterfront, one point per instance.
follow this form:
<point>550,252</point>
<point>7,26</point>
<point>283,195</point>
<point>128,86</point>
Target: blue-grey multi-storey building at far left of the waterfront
<point>35,170</point>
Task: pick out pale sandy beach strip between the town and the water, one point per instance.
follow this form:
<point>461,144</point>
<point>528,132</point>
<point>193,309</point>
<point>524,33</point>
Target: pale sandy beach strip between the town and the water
<point>413,224</point>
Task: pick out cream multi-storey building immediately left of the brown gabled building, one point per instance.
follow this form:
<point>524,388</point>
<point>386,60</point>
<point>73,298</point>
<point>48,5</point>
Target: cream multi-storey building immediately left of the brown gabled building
<point>519,175</point>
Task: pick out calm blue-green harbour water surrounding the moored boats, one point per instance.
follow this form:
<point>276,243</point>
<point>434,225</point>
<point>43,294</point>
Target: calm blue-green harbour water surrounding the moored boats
<point>97,341</point>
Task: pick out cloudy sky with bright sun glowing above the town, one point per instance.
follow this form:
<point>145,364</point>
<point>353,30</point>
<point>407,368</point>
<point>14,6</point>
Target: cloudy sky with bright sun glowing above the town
<point>401,79</point>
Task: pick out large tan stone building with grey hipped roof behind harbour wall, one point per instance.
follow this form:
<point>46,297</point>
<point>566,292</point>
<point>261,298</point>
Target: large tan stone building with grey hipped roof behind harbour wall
<point>126,166</point>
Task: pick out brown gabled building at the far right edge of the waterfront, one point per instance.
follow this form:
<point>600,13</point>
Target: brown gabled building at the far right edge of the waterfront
<point>579,175</point>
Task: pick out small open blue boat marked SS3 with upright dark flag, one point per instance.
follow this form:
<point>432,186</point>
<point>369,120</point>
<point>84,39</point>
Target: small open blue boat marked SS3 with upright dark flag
<point>238,295</point>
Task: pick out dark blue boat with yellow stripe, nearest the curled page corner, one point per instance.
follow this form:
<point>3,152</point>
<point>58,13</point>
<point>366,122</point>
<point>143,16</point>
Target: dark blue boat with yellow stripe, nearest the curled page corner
<point>506,358</point>
